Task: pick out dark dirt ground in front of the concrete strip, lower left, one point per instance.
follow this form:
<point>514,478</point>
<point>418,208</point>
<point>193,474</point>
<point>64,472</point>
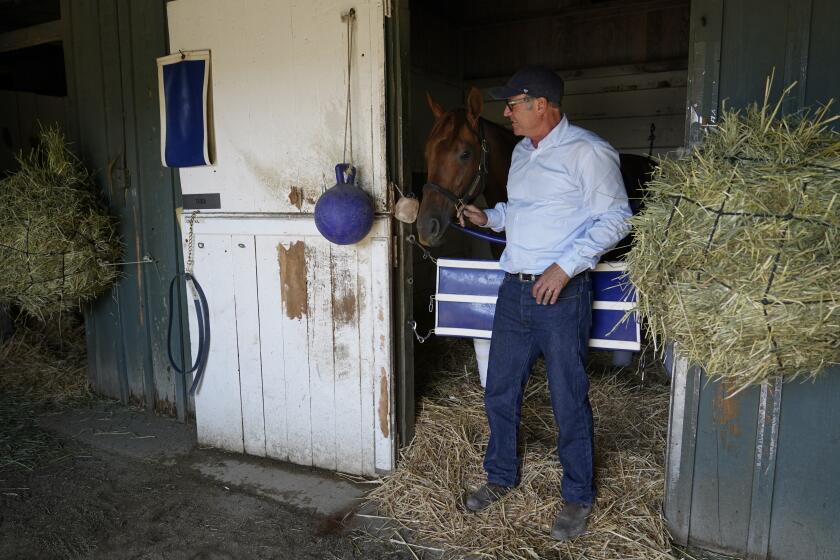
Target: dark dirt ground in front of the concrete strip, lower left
<point>63,498</point>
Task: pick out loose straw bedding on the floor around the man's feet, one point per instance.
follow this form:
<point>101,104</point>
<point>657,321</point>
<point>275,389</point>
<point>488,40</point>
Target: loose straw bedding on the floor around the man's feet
<point>425,495</point>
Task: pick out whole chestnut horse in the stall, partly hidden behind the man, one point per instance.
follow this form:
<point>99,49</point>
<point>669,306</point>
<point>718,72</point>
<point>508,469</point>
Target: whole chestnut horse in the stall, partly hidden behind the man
<point>467,155</point>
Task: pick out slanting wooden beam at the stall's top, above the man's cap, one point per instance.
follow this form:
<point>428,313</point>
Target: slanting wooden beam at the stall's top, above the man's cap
<point>616,8</point>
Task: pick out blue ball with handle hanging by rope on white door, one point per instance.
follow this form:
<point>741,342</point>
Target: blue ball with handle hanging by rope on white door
<point>344,214</point>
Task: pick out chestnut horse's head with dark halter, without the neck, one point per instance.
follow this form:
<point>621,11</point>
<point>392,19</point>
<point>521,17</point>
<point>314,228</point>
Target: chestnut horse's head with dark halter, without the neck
<point>455,154</point>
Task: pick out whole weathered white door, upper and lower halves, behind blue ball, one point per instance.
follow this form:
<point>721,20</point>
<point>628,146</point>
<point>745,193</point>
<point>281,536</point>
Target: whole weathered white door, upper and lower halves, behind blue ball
<point>301,358</point>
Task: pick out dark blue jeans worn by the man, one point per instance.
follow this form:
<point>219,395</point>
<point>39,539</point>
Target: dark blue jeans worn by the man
<point>522,330</point>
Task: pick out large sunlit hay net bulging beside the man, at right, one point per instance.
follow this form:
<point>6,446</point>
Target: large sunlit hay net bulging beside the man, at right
<point>736,253</point>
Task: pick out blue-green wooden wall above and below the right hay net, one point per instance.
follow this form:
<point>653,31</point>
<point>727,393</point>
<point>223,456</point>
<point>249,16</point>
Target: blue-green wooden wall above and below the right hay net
<point>755,475</point>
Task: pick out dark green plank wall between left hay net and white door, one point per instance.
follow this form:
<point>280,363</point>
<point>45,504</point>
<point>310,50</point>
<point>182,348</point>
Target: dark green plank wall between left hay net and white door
<point>110,52</point>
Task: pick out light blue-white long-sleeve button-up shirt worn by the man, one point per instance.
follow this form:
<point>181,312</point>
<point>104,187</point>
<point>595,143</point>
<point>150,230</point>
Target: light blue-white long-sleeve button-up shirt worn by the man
<point>566,202</point>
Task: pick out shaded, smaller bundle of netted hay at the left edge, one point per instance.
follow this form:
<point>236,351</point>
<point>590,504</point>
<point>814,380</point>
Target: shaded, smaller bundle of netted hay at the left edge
<point>55,234</point>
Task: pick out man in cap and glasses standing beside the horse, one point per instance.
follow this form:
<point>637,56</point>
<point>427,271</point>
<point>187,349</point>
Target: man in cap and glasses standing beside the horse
<point>566,207</point>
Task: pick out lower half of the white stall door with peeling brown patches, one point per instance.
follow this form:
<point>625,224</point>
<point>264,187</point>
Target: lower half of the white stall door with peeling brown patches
<point>300,359</point>
